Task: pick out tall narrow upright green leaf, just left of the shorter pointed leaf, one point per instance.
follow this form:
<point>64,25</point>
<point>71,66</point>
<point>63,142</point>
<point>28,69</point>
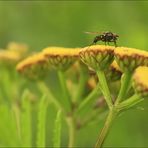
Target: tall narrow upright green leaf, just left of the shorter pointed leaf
<point>42,122</point>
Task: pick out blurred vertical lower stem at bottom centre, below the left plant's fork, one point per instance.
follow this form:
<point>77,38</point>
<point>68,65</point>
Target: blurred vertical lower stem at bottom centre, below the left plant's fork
<point>72,130</point>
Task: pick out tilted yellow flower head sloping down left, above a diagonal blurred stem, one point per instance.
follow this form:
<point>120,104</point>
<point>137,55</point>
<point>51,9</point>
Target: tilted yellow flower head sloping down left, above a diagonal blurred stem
<point>33,67</point>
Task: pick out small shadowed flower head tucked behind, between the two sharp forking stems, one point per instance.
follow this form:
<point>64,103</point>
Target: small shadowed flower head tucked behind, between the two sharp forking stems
<point>114,72</point>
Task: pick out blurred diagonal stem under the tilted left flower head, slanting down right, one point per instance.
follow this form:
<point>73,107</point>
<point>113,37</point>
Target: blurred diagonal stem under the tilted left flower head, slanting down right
<point>43,88</point>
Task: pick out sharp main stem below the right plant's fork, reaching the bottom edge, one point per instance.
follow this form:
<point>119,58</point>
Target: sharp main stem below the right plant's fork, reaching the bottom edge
<point>104,132</point>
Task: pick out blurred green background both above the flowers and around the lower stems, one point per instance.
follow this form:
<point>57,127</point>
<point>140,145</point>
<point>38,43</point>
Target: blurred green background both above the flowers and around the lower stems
<point>61,23</point>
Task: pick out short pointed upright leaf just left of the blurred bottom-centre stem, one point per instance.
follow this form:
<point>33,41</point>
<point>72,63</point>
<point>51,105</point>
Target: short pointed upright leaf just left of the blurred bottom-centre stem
<point>57,130</point>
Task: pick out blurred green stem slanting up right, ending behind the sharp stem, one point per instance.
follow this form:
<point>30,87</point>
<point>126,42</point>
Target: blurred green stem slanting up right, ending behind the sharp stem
<point>87,101</point>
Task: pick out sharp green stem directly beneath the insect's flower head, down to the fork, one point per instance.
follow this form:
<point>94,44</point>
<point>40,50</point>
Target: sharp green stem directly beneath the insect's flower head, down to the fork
<point>104,88</point>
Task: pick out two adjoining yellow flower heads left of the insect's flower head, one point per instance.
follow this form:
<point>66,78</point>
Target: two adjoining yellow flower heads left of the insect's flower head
<point>37,65</point>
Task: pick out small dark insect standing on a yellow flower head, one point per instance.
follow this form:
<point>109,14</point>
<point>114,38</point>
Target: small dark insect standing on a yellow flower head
<point>105,37</point>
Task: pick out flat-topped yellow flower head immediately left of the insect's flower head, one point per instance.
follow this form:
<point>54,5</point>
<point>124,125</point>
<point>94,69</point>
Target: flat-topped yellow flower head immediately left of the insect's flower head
<point>61,58</point>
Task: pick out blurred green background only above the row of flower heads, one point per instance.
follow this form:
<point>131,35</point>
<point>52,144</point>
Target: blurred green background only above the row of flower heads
<point>43,23</point>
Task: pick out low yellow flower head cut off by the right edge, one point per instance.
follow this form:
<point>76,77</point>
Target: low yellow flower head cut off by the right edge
<point>140,79</point>
